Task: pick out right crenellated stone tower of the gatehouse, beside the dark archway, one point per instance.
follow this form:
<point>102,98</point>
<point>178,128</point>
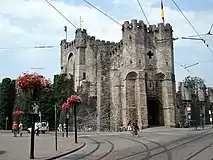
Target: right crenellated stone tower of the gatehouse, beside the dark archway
<point>165,71</point>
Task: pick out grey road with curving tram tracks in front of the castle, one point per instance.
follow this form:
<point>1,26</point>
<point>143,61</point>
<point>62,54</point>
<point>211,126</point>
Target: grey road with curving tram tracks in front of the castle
<point>156,144</point>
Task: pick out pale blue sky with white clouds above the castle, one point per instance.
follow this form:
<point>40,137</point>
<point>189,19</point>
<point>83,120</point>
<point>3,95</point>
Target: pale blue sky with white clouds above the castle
<point>25,24</point>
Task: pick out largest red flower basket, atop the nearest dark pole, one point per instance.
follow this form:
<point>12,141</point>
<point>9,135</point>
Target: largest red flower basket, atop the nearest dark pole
<point>30,81</point>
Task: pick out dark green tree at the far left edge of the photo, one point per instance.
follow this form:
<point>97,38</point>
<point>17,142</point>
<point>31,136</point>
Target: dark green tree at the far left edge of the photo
<point>7,101</point>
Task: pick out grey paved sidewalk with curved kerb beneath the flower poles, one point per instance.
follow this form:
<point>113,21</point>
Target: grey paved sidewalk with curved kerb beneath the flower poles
<point>18,148</point>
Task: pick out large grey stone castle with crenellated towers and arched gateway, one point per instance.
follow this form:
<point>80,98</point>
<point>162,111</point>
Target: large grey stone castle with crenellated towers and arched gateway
<point>127,77</point>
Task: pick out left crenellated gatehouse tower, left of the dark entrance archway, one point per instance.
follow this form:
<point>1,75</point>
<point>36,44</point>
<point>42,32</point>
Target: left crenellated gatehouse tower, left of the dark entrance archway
<point>133,72</point>
